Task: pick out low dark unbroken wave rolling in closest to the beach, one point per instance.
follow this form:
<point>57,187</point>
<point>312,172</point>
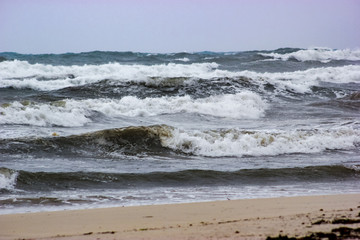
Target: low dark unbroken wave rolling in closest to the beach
<point>50,181</point>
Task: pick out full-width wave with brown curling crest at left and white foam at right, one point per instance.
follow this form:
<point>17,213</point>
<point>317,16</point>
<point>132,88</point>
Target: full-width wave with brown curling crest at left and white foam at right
<point>212,143</point>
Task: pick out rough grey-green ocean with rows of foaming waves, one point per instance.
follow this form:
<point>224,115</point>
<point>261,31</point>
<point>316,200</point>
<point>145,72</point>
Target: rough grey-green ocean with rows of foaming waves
<point>101,129</point>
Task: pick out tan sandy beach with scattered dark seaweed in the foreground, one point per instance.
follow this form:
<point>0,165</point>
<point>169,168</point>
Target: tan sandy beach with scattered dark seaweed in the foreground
<point>232,219</point>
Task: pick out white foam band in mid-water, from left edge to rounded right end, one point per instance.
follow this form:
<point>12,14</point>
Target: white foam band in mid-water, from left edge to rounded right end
<point>71,113</point>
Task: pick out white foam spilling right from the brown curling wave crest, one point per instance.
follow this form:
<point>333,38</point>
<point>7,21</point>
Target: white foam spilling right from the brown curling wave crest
<point>235,142</point>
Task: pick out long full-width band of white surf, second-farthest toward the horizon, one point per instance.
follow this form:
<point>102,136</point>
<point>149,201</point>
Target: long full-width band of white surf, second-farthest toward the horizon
<point>20,74</point>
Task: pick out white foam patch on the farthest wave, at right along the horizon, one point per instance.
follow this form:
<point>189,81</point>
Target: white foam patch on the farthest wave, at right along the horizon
<point>317,54</point>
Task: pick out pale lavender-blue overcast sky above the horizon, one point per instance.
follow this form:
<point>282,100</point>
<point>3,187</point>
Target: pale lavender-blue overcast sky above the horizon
<point>158,26</point>
